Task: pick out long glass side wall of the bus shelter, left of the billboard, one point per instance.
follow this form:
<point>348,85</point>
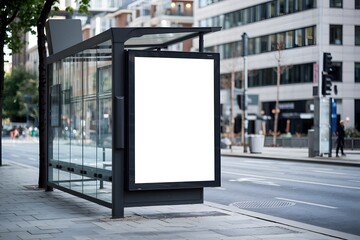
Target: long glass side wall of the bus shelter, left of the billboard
<point>81,141</point>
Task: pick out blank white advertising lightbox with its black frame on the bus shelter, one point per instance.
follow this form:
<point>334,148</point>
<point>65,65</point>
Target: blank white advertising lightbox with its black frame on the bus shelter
<point>174,120</point>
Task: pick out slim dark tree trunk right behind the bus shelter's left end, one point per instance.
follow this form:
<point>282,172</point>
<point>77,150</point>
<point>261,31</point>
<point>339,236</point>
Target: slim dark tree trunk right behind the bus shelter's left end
<point>43,93</point>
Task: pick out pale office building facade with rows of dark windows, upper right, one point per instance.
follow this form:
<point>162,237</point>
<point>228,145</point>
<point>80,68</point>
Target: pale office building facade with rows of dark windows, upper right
<point>294,33</point>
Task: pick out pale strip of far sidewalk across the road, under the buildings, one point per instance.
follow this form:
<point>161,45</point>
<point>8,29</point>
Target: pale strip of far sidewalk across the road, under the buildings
<point>296,154</point>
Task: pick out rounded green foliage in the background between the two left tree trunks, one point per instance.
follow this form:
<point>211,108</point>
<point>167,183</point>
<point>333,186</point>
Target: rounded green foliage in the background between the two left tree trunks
<point>17,86</point>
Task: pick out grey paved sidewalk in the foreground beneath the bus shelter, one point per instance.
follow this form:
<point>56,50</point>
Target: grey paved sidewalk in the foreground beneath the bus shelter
<point>29,213</point>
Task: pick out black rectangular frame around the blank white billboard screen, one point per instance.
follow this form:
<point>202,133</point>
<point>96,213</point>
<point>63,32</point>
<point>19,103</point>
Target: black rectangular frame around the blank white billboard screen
<point>132,185</point>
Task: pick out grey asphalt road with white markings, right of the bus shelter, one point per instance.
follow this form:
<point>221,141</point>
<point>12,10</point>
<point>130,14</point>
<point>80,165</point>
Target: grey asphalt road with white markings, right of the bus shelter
<point>318,194</point>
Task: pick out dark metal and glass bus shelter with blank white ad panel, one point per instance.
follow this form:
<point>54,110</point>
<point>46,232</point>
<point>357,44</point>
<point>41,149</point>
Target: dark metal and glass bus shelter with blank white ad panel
<point>132,123</point>
